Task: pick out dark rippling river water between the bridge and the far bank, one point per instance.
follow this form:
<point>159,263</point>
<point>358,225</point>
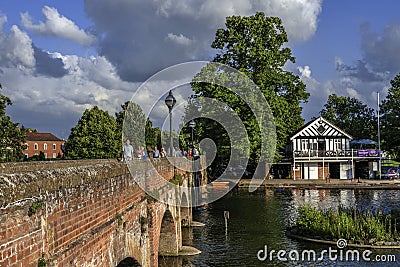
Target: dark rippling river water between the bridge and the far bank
<point>260,218</point>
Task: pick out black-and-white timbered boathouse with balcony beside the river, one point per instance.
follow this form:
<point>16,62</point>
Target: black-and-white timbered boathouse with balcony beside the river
<point>321,149</point>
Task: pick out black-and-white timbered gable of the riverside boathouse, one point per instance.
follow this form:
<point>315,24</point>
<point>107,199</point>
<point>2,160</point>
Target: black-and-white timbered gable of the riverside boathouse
<point>320,127</point>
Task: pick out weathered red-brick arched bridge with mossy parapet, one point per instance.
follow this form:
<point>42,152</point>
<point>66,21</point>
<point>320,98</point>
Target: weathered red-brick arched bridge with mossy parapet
<point>88,213</point>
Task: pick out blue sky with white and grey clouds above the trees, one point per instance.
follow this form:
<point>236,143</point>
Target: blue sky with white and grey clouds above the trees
<point>58,58</point>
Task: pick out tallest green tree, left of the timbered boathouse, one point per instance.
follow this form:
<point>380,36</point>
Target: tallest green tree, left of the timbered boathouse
<point>254,45</point>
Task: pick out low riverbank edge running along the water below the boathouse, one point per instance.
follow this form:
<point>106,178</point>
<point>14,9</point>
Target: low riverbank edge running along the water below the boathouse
<point>321,184</point>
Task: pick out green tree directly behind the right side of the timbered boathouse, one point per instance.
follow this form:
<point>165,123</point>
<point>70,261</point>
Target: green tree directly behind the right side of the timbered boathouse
<point>351,115</point>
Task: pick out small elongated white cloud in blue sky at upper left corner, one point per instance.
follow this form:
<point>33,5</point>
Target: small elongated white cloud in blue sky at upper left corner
<point>57,25</point>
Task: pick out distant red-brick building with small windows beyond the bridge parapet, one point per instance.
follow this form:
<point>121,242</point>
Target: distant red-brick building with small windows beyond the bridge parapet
<point>49,144</point>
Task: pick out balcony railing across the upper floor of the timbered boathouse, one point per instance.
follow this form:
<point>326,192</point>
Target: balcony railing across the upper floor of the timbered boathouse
<point>353,153</point>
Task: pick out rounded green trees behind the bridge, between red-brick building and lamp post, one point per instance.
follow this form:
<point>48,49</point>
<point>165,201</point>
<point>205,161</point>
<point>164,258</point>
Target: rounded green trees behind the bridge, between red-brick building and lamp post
<point>99,135</point>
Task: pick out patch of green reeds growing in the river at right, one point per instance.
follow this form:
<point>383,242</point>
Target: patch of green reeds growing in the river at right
<point>352,224</point>
